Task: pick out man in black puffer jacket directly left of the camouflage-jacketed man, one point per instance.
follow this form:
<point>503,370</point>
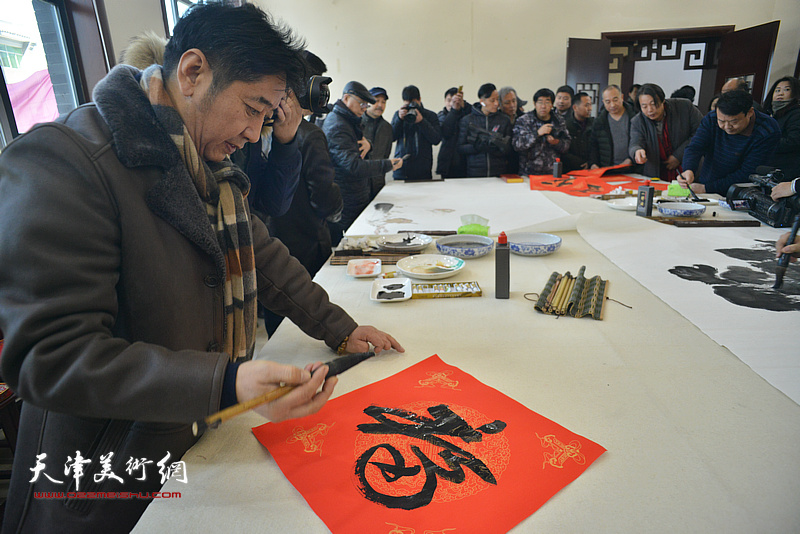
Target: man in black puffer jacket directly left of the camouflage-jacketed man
<point>484,135</point>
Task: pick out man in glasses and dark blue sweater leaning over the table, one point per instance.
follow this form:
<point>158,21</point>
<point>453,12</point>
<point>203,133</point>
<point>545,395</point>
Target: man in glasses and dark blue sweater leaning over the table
<point>733,140</point>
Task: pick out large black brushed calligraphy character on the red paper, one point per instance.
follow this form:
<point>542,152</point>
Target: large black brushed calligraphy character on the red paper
<point>444,423</point>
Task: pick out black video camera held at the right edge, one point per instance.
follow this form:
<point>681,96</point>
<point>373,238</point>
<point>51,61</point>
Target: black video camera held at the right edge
<point>755,198</point>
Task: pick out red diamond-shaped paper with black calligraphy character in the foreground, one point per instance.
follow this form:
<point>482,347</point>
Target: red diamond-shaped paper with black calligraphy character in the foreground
<point>430,449</point>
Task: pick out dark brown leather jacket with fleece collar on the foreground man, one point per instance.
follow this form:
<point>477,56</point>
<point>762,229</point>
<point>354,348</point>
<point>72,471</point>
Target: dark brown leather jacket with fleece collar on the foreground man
<point>112,306</point>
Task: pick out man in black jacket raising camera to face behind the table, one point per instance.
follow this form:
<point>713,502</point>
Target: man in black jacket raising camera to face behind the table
<point>416,130</point>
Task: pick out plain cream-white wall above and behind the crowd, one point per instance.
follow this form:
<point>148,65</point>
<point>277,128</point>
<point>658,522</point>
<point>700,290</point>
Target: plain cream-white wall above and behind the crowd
<point>436,44</point>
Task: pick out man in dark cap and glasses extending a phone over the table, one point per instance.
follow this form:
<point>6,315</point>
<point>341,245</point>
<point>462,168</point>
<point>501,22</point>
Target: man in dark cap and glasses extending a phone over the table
<point>343,130</point>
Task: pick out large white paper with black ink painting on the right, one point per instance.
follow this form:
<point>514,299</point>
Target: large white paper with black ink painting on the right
<point>765,340</point>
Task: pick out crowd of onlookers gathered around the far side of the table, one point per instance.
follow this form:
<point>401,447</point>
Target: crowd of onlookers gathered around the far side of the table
<point>668,138</point>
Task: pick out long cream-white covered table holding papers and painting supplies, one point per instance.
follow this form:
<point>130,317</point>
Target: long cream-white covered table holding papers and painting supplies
<point>697,441</point>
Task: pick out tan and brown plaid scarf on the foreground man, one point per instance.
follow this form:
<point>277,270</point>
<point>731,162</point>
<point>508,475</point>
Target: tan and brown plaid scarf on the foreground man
<point>223,188</point>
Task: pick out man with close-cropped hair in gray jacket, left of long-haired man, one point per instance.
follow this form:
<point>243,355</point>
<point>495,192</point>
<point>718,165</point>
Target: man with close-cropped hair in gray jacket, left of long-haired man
<point>611,131</point>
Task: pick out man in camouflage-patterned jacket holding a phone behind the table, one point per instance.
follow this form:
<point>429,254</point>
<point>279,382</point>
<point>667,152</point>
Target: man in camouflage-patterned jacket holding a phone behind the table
<point>540,136</point>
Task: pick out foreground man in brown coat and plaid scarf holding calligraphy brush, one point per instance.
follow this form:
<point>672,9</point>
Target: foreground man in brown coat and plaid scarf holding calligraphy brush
<point>129,270</point>
